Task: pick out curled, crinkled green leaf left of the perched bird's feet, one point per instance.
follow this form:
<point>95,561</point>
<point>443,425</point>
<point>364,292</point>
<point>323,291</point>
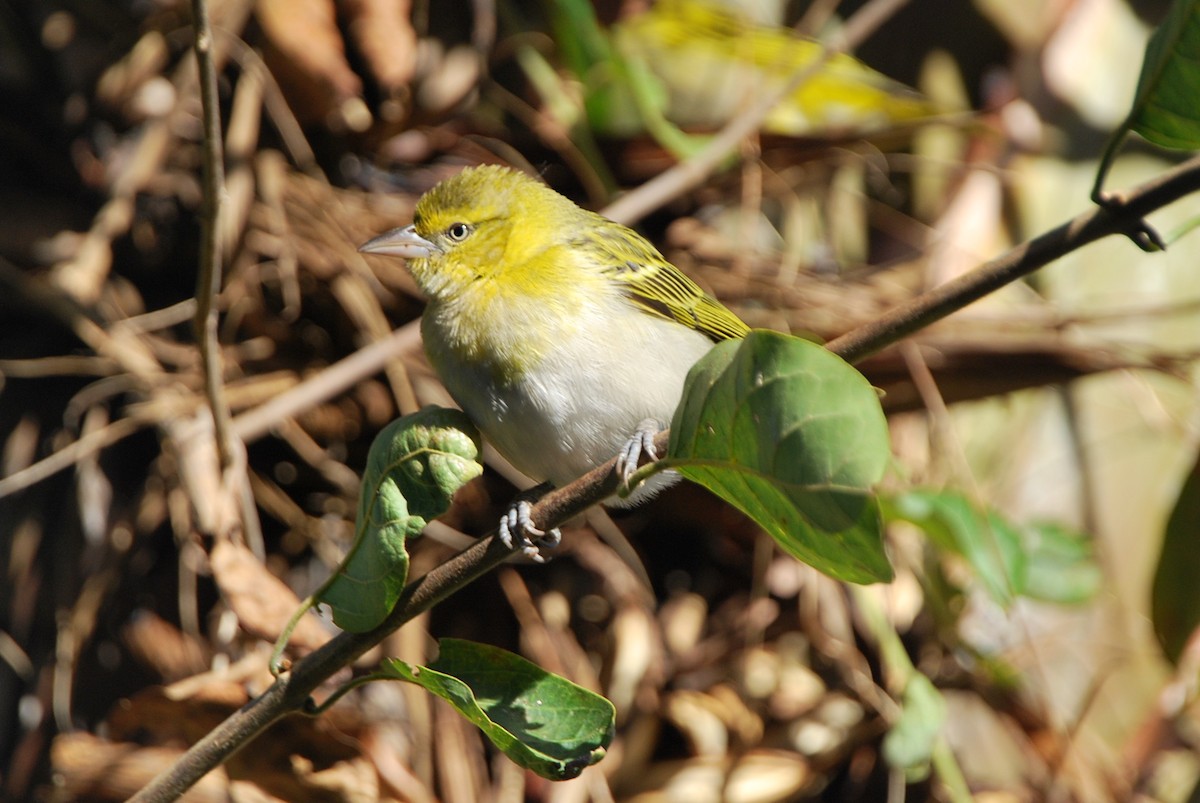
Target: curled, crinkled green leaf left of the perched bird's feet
<point>415,468</point>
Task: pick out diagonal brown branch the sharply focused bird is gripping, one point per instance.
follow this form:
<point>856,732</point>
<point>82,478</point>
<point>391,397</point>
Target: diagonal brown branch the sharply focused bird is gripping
<point>291,692</point>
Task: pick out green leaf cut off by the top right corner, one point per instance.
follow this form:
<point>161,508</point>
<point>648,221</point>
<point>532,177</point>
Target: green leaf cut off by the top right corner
<point>1165,110</point>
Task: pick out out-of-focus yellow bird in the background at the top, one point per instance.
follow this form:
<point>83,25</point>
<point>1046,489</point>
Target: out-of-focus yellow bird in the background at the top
<point>699,64</point>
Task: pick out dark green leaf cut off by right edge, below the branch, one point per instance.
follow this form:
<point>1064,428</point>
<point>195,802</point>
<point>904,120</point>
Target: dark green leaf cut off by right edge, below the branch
<point>1175,601</point>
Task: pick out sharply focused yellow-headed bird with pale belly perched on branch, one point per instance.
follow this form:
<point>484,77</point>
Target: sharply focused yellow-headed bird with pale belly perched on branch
<point>566,338</point>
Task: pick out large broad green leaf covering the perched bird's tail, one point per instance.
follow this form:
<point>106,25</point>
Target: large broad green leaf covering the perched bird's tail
<point>795,438</point>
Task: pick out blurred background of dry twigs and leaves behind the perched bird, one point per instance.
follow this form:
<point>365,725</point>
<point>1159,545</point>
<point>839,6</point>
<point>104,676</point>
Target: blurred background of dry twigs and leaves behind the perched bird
<point>1048,430</point>
